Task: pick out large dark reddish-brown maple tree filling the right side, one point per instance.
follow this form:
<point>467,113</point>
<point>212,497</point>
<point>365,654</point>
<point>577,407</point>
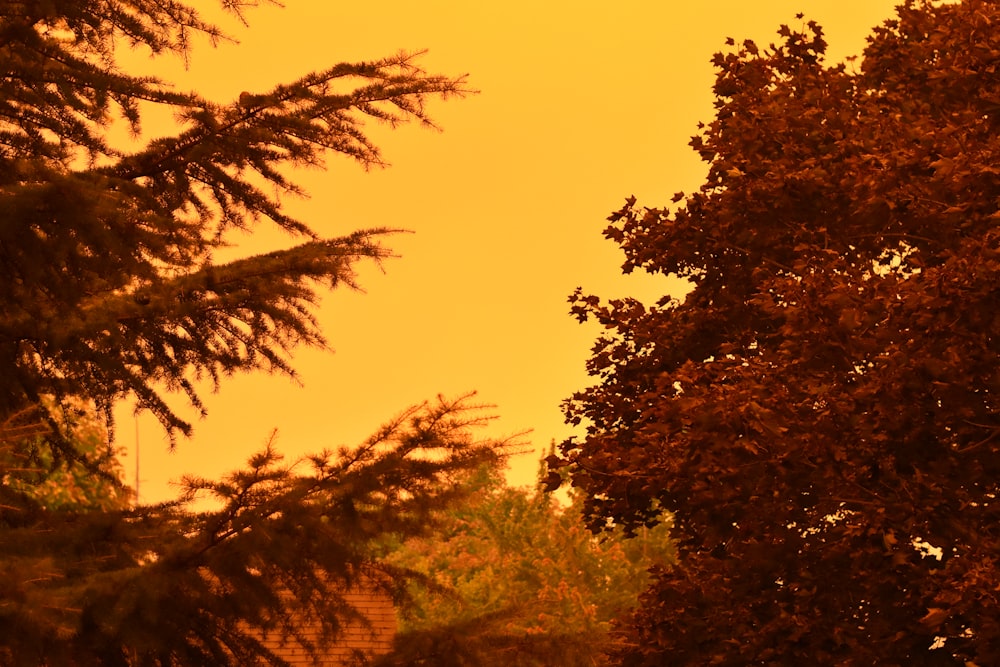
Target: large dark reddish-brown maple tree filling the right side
<point>820,411</point>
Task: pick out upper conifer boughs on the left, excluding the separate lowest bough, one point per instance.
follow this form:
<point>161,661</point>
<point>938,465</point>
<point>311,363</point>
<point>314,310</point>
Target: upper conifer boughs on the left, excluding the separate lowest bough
<point>107,257</point>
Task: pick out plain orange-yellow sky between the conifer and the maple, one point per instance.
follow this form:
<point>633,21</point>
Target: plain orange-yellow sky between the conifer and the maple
<point>581,105</point>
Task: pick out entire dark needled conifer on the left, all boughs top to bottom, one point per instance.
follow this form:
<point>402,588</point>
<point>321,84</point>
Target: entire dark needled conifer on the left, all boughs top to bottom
<point>110,290</point>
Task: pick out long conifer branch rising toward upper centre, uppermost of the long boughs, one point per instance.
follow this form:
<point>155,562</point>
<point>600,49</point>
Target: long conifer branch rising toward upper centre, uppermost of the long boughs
<point>210,166</point>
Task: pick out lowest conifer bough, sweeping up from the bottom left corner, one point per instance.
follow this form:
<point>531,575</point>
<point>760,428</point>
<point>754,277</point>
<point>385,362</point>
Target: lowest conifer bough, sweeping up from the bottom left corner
<point>177,585</point>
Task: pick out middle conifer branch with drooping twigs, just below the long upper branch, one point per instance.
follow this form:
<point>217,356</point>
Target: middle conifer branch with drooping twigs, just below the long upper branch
<point>219,319</point>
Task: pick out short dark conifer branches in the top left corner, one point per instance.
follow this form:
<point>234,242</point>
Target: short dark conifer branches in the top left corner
<point>60,78</point>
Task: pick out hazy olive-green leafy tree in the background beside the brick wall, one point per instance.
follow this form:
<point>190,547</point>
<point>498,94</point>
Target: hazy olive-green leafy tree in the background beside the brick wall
<point>515,578</point>
